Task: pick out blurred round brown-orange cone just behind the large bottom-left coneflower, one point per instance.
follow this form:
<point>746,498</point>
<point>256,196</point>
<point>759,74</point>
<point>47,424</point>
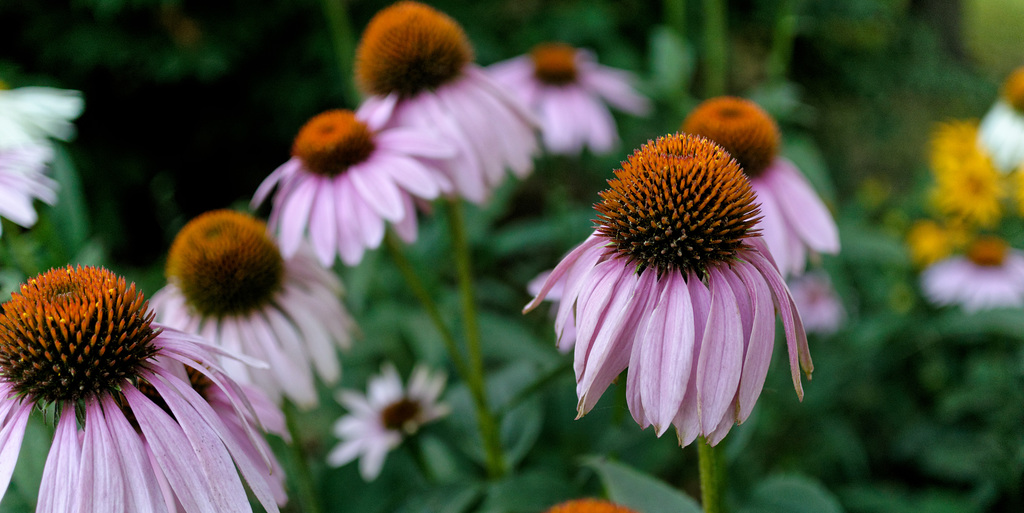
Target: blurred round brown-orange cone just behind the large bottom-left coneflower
<point>226,264</point>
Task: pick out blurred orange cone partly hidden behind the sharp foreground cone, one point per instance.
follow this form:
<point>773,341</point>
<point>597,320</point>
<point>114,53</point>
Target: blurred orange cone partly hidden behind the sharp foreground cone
<point>741,127</point>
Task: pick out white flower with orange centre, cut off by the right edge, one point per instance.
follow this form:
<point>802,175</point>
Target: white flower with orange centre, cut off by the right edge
<point>1002,131</point>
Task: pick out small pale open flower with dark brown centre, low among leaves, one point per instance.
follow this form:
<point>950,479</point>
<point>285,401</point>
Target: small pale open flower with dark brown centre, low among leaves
<point>378,422</point>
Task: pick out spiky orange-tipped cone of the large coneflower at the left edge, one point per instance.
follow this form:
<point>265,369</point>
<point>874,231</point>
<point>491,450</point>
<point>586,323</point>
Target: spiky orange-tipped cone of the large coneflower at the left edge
<point>73,333</point>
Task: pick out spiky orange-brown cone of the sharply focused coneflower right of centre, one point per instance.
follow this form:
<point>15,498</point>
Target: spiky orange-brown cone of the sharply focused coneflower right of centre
<point>678,203</point>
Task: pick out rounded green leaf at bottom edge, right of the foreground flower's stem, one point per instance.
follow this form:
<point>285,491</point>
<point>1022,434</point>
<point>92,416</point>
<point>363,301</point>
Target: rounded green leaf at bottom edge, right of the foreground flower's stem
<point>792,494</point>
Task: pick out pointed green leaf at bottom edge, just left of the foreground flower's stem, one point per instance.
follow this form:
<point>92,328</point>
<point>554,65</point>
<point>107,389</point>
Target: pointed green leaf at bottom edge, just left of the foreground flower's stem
<point>638,491</point>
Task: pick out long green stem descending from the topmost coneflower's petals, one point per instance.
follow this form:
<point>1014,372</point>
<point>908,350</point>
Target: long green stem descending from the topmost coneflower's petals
<point>485,418</point>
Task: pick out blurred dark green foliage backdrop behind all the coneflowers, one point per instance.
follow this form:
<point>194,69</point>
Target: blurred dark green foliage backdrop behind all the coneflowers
<point>191,105</point>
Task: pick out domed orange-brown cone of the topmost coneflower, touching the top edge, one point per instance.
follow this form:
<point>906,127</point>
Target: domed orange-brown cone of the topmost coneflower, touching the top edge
<point>410,48</point>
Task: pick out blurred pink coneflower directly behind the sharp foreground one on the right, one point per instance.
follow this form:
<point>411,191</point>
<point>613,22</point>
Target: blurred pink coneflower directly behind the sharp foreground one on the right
<point>795,221</point>
